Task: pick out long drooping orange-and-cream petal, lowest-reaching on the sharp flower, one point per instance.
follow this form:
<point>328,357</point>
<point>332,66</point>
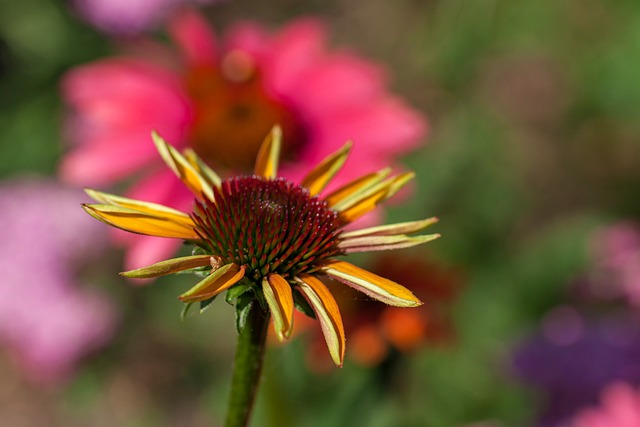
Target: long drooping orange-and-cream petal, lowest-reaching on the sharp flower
<point>328,314</point>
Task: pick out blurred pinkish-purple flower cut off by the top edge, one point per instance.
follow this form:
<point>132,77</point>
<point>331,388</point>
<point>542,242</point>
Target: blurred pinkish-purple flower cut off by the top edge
<point>129,17</point>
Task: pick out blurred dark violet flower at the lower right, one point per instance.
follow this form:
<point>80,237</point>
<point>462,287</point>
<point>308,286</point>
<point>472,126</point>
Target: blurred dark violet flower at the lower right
<point>573,358</point>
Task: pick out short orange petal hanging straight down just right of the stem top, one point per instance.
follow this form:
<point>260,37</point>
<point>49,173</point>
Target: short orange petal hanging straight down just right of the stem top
<point>277,292</point>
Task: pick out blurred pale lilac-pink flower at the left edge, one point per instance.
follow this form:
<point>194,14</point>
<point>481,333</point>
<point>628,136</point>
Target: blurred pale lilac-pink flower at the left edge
<point>47,320</point>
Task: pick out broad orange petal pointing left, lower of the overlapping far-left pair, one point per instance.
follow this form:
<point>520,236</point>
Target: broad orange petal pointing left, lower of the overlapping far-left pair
<point>143,223</point>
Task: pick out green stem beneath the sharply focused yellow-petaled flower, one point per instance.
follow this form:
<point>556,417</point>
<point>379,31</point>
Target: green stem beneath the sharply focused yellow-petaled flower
<point>247,366</point>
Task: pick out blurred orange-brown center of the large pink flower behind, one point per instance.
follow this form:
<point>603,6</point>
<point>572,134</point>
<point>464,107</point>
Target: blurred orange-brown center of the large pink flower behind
<point>233,112</point>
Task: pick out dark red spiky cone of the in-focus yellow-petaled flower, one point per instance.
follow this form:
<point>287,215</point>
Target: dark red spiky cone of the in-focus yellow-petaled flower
<point>268,226</point>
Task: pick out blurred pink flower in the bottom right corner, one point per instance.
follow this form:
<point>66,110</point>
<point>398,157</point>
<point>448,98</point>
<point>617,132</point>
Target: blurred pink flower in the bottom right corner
<point>620,407</point>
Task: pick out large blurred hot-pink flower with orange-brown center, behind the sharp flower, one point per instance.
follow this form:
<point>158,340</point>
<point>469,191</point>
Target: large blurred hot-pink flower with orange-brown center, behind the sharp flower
<point>221,98</point>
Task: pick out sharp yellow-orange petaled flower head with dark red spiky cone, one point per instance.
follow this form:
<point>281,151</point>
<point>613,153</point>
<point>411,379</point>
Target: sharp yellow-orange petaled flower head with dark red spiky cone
<point>267,236</point>
